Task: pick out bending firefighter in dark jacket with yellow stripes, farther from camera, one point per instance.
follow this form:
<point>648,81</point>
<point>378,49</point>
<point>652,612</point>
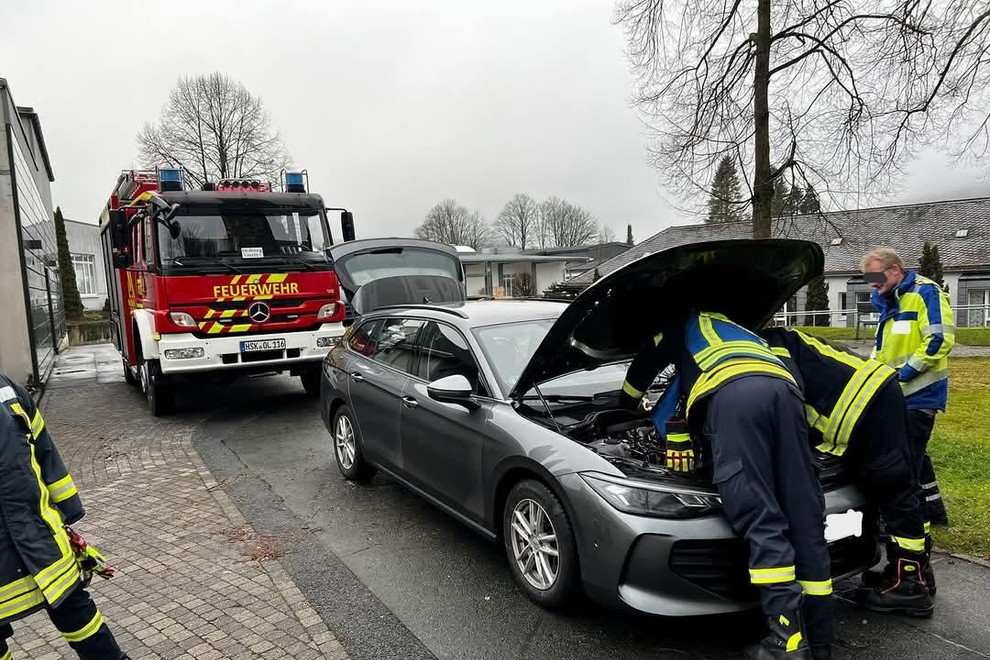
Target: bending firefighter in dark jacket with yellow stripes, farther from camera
<point>856,411</point>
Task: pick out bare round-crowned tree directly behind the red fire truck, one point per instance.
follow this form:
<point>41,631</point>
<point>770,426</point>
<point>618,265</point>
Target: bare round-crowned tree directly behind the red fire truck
<point>214,128</point>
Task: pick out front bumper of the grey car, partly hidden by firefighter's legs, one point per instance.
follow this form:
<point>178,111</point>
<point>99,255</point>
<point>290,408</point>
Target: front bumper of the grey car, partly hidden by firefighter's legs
<point>686,567</point>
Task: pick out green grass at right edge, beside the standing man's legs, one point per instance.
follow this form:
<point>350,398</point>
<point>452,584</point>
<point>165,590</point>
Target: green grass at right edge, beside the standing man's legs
<point>960,451</point>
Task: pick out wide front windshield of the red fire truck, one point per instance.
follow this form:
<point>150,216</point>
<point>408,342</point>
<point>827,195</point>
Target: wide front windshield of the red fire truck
<point>243,235</point>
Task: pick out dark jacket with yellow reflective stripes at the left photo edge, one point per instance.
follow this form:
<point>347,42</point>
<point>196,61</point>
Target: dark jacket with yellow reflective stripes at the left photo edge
<point>37,499</point>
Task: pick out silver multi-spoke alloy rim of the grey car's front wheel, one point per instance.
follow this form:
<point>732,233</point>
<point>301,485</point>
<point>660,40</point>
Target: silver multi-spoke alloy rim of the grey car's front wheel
<point>534,544</point>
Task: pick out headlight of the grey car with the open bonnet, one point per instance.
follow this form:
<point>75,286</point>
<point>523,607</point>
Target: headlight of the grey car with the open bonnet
<point>649,499</point>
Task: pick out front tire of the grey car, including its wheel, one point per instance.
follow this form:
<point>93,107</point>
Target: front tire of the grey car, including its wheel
<point>548,579</point>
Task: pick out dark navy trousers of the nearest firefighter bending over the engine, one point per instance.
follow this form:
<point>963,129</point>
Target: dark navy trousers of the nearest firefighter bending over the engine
<point>764,472</point>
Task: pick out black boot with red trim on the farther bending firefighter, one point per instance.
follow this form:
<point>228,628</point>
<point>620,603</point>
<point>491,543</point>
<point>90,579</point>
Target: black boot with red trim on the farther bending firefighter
<point>902,589</point>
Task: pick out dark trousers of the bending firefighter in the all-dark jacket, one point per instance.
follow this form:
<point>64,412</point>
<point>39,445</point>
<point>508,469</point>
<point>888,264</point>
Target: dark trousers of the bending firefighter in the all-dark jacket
<point>880,454</point>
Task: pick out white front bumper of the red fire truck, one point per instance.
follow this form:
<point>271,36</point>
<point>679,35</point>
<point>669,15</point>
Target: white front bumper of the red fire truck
<point>224,351</point>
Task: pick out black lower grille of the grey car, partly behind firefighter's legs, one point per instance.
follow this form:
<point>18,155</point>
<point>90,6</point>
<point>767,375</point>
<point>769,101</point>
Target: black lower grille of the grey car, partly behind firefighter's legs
<point>722,567</point>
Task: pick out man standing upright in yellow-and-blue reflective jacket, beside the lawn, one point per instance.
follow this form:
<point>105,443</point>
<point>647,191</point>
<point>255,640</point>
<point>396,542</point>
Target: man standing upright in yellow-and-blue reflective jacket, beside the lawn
<point>915,334</point>
